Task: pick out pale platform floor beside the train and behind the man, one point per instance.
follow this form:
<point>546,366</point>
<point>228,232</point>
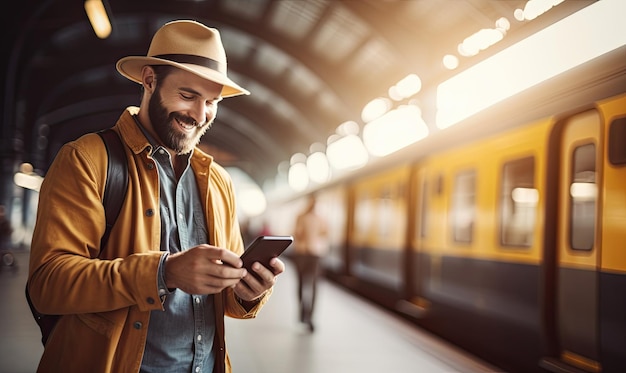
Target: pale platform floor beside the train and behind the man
<point>351,335</point>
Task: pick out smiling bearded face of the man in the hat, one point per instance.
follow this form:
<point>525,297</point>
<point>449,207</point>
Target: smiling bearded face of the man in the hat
<point>182,108</point>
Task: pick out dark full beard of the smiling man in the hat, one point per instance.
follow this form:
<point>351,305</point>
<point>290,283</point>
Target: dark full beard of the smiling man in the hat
<point>165,125</point>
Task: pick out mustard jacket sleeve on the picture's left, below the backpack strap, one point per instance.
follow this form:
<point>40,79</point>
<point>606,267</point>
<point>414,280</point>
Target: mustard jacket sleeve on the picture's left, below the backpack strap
<point>65,275</point>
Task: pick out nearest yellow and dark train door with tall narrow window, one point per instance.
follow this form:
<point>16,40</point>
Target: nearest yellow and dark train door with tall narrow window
<point>578,245</point>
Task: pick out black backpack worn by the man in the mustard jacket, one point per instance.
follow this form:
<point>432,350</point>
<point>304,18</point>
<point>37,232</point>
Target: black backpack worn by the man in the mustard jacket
<point>114,193</point>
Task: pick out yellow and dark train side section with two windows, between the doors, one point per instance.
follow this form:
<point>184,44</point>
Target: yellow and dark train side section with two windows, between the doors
<point>478,248</point>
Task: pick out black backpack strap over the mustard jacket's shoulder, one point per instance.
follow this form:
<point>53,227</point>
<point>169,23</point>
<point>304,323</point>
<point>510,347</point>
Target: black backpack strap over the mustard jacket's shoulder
<point>117,180</point>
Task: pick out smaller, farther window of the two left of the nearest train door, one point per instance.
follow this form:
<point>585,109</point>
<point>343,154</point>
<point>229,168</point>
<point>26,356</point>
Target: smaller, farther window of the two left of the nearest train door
<point>464,206</point>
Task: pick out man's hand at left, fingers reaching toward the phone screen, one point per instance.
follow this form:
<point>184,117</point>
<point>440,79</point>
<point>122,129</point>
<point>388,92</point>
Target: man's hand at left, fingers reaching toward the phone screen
<point>200,270</point>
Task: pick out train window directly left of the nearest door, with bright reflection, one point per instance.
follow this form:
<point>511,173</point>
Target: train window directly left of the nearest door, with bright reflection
<point>518,205</point>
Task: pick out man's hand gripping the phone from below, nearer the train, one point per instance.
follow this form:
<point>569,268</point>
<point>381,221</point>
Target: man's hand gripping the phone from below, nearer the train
<point>253,286</point>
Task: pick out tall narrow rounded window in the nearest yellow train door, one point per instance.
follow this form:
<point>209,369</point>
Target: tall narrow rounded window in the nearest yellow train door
<point>583,194</point>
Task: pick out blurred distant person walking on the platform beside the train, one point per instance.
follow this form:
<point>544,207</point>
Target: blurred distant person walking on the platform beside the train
<point>311,243</point>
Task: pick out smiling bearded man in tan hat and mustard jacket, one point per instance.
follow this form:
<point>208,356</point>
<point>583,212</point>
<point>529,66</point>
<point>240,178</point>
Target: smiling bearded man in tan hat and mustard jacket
<point>154,298</point>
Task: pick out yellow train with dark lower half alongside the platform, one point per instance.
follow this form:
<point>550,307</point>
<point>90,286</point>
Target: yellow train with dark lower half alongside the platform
<point>505,234</point>
